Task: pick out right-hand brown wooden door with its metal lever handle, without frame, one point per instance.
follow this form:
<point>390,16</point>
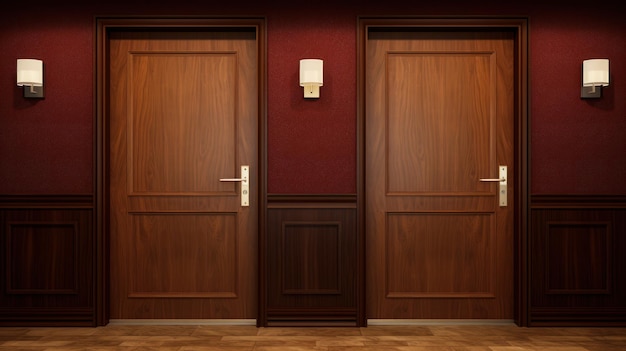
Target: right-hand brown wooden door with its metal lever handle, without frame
<point>439,116</point>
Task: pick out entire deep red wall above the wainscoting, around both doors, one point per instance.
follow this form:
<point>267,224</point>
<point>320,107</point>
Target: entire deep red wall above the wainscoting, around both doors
<point>578,146</point>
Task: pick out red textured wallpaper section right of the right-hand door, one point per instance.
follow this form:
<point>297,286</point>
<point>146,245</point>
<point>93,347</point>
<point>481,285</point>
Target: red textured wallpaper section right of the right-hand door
<point>578,145</point>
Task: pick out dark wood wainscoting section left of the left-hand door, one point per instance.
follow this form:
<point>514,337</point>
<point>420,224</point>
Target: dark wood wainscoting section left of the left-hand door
<point>47,270</point>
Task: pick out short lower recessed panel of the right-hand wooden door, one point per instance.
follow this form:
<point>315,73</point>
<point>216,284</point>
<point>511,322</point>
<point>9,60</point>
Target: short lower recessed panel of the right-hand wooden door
<point>421,264</point>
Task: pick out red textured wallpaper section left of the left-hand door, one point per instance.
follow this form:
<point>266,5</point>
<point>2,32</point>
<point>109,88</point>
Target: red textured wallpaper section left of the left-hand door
<point>46,145</point>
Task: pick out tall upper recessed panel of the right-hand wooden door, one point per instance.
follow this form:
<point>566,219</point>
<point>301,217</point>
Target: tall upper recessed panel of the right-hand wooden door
<point>454,134</point>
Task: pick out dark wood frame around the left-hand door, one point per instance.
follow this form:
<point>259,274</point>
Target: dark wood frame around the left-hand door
<point>103,27</point>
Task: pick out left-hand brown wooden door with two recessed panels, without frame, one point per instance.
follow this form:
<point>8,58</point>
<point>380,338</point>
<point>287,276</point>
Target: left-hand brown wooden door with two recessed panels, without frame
<point>183,114</point>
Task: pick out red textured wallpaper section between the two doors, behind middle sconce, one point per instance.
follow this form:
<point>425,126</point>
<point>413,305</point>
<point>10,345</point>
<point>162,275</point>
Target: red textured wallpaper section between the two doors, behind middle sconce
<point>312,142</point>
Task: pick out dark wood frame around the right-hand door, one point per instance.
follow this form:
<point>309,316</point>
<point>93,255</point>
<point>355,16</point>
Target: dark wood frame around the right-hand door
<point>519,26</point>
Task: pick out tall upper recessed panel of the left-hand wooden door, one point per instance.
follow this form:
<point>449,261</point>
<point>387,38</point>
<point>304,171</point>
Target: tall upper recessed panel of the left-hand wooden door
<point>164,85</point>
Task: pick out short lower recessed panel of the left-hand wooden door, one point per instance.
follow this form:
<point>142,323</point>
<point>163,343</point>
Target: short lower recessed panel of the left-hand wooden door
<point>208,242</point>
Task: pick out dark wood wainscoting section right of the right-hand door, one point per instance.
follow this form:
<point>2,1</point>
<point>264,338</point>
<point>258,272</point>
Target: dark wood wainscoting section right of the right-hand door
<point>577,261</point>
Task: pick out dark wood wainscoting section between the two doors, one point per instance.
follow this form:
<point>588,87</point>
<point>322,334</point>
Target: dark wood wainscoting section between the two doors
<point>311,261</point>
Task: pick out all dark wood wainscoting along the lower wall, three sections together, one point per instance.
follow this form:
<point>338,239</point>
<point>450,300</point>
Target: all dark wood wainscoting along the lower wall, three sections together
<point>312,265</point>
